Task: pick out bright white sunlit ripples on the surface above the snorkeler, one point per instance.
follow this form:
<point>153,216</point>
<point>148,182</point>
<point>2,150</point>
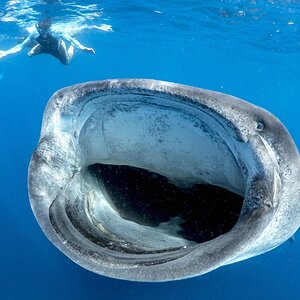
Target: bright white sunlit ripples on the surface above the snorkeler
<point>68,16</point>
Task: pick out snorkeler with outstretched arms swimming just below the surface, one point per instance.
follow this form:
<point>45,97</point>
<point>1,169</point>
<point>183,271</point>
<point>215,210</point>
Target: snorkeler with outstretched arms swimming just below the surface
<point>48,41</point>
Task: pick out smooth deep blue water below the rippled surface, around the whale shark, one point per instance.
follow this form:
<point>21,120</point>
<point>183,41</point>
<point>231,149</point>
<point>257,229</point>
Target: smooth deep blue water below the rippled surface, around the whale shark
<point>30,266</point>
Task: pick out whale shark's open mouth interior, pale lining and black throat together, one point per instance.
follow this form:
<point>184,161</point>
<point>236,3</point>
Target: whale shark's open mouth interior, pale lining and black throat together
<point>156,175</point>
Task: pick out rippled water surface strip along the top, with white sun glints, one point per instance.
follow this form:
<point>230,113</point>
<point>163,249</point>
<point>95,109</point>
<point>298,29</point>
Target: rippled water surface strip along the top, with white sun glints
<point>270,25</point>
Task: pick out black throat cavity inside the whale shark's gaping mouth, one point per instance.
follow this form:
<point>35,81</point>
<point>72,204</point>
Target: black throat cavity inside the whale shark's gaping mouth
<point>147,198</point>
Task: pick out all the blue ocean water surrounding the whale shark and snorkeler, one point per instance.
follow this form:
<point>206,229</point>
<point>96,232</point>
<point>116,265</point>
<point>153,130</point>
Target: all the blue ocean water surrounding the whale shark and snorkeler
<point>250,49</point>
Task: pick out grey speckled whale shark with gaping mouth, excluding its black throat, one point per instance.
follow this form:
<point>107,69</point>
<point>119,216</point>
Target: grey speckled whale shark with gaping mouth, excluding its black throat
<point>185,134</point>
